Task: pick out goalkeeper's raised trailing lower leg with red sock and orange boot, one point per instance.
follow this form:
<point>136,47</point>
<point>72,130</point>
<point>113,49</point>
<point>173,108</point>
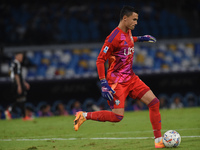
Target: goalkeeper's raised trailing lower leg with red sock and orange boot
<point>102,116</point>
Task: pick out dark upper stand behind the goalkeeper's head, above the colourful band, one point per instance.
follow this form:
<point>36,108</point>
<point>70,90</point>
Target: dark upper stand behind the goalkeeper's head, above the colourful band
<point>58,22</point>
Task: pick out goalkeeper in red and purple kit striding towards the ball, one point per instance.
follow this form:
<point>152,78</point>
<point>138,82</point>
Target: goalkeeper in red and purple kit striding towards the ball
<point>121,81</point>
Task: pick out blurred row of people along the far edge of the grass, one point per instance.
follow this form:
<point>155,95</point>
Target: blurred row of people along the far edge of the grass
<point>61,108</point>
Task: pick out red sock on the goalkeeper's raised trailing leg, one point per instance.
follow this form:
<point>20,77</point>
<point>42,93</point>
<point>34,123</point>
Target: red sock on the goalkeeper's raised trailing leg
<point>103,116</point>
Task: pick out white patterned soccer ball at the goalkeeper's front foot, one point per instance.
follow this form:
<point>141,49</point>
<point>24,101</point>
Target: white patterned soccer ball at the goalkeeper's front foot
<point>171,138</point>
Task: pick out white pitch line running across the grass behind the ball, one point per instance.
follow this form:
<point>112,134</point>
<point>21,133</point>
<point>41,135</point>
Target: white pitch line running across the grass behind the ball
<point>97,138</point>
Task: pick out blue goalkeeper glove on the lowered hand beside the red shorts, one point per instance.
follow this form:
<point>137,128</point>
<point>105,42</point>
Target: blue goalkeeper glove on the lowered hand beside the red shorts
<point>106,91</point>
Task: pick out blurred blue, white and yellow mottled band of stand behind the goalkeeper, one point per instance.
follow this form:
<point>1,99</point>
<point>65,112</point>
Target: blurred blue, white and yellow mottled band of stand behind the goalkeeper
<point>69,63</point>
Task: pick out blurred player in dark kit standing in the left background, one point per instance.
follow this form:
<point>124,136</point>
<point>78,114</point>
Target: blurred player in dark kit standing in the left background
<point>19,88</point>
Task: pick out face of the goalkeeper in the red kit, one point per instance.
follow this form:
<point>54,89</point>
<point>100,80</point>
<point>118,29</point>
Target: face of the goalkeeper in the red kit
<point>131,21</point>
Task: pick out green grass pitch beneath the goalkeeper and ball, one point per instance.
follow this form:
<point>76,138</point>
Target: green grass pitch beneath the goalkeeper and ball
<point>56,133</point>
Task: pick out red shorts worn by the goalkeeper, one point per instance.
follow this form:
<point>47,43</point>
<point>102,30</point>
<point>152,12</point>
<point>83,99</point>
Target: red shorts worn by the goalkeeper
<point>135,88</point>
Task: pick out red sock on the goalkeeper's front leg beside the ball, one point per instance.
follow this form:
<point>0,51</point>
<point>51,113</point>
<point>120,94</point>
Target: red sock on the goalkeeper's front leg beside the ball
<point>155,117</point>
